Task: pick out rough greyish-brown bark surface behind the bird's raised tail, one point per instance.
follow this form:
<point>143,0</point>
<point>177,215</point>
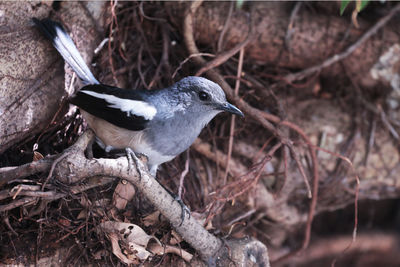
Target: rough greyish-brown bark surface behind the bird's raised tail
<point>33,90</point>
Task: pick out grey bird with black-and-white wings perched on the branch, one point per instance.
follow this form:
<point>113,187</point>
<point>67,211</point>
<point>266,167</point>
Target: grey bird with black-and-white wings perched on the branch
<point>160,123</point>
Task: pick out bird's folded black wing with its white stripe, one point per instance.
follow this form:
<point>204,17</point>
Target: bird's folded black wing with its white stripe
<point>106,102</point>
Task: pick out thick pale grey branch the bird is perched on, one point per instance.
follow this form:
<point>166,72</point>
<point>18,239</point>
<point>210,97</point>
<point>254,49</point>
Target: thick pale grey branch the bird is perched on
<point>78,167</point>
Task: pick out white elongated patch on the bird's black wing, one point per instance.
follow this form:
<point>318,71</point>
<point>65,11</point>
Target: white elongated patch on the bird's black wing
<point>131,107</point>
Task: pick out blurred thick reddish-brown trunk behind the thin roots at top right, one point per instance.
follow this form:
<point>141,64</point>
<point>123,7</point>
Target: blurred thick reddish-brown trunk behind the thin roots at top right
<point>315,36</point>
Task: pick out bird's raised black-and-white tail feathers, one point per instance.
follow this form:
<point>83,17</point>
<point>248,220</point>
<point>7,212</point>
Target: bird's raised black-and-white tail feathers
<point>66,47</point>
